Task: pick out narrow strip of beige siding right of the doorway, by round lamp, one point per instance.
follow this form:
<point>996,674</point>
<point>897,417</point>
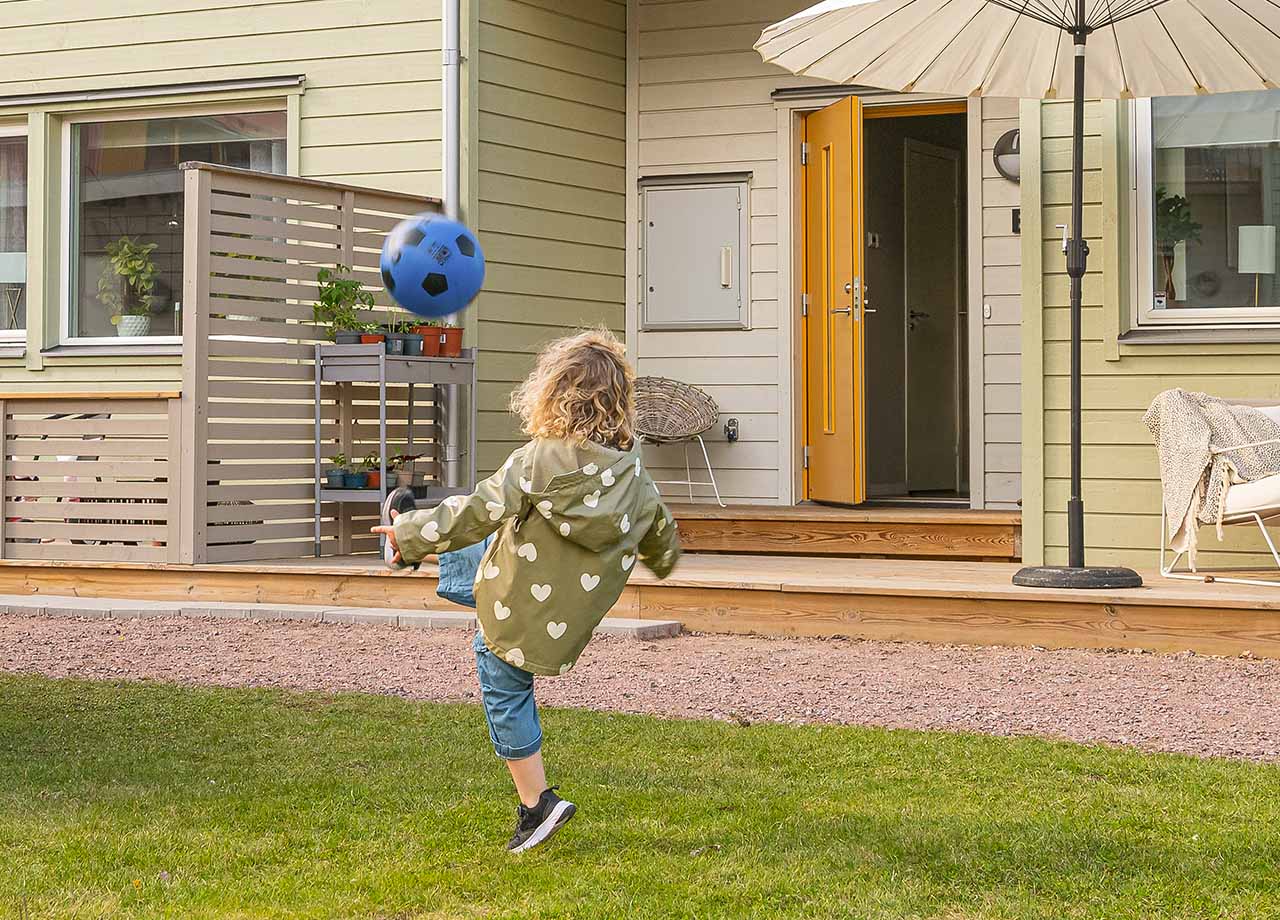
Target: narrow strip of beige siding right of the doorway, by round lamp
<point>1002,333</point>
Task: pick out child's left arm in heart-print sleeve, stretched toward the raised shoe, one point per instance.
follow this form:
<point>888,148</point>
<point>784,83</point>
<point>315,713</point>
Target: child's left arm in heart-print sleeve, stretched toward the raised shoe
<point>459,521</point>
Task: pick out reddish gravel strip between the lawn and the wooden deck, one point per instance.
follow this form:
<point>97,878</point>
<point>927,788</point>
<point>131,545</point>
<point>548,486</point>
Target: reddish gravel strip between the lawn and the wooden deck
<point>1190,704</point>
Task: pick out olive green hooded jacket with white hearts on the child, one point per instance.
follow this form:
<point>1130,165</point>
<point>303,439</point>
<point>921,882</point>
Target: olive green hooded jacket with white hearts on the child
<point>573,523</point>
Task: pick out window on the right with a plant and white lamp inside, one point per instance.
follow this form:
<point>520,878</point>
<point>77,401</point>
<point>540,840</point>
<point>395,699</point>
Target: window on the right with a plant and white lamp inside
<point>1208,187</point>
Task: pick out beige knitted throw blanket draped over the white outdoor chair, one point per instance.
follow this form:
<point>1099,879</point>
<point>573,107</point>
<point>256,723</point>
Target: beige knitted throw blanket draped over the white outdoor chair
<point>1188,428</point>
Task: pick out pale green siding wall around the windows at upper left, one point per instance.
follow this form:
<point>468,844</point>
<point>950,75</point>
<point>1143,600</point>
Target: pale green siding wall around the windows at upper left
<point>368,115</point>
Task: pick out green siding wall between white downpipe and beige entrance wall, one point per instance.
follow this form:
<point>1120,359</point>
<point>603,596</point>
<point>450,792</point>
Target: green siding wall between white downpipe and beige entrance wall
<point>551,141</point>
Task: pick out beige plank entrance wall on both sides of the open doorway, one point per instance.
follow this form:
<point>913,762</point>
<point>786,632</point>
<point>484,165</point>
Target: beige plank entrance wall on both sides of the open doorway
<point>702,100</point>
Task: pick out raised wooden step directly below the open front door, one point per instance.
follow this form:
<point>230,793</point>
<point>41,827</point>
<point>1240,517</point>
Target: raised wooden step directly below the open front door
<point>854,533</point>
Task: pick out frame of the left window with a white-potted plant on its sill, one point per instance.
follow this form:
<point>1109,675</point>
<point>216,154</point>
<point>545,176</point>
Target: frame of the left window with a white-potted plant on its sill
<point>67,155</point>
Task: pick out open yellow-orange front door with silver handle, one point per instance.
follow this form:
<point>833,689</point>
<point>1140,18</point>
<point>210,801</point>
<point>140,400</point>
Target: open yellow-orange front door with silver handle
<point>834,319</point>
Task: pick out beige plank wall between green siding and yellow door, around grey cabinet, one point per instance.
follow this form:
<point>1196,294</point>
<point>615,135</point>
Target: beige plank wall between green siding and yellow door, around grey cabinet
<point>705,107</point>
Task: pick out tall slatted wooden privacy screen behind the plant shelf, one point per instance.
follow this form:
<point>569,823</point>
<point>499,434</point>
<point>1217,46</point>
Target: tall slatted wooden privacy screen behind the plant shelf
<point>253,248</point>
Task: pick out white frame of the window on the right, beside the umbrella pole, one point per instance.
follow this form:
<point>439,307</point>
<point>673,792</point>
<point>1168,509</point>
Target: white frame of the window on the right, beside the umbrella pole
<point>1142,257</point>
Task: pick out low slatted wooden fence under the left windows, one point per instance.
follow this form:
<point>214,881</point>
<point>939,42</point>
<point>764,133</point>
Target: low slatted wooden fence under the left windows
<point>90,479</point>
